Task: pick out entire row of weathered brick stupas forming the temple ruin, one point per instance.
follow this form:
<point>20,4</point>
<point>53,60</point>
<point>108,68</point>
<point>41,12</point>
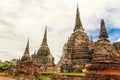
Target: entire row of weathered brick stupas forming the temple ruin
<point>80,54</point>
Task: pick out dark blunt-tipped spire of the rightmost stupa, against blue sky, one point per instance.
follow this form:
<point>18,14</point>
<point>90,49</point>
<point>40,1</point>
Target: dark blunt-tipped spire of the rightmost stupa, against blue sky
<point>103,32</point>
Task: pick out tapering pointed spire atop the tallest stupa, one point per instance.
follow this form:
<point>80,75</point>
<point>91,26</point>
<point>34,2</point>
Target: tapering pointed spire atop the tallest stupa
<point>78,23</point>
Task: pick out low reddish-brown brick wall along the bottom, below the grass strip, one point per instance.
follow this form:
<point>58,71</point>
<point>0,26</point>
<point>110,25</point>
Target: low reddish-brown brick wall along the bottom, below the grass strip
<point>87,77</point>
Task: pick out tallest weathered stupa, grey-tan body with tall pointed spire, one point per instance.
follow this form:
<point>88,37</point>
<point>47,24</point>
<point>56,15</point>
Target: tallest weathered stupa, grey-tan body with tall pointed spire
<point>77,51</point>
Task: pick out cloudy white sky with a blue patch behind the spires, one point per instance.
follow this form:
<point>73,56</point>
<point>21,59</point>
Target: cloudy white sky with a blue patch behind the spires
<point>20,19</point>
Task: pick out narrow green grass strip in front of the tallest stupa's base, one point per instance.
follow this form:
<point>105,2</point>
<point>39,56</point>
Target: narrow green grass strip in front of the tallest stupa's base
<point>64,74</point>
